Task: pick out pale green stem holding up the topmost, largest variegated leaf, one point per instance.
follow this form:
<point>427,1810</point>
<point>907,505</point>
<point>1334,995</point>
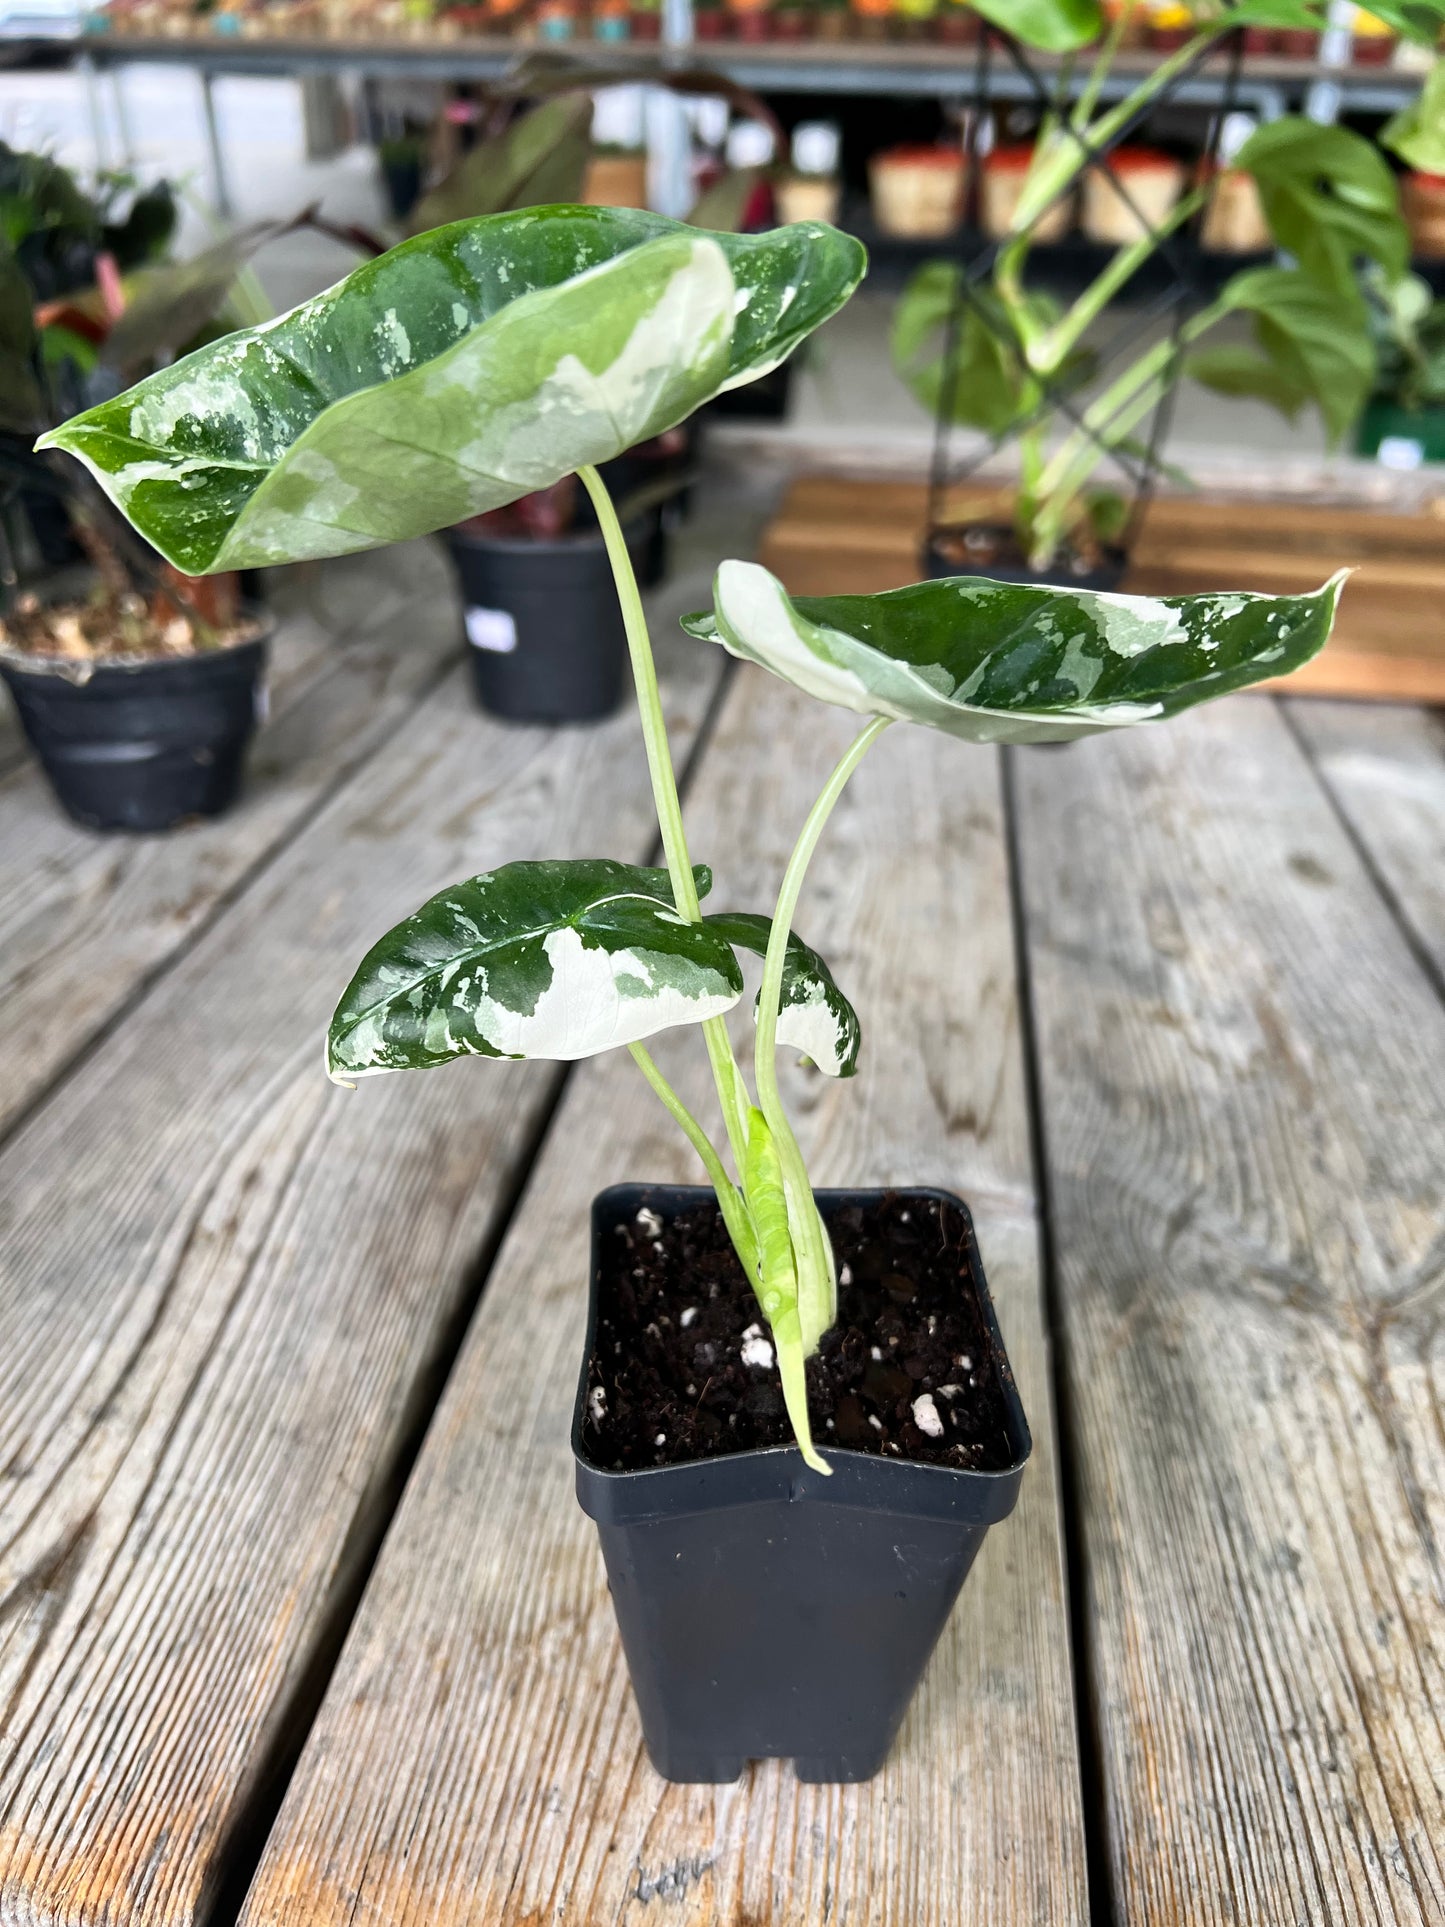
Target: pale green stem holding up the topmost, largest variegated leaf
<point>666,795</point>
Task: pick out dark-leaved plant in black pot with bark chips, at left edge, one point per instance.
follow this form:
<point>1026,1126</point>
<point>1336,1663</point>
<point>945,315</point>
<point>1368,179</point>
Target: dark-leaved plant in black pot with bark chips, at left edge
<point>136,687</point>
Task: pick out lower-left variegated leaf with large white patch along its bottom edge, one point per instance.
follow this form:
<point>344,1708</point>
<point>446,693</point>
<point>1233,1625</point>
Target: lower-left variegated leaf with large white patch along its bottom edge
<point>533,961</point>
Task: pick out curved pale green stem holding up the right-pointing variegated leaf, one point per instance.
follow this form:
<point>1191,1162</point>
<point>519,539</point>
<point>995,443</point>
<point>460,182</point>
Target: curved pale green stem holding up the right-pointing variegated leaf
<point>818,1292</point>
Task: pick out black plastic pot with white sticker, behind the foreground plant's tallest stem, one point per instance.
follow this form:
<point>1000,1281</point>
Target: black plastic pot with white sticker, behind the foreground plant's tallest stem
<point>544,623</point>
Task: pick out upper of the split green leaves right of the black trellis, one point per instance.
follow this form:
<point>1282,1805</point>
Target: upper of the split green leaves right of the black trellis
<point>1330,199</point>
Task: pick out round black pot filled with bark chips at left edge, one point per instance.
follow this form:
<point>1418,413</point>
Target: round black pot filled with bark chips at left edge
<point>144,745</point>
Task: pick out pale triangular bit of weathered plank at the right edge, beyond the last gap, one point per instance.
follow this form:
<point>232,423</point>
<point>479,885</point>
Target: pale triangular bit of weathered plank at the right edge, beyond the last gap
<point>1386,772</point>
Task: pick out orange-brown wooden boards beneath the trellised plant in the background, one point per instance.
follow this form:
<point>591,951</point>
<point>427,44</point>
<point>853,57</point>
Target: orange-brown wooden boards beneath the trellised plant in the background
<point>835,537</point>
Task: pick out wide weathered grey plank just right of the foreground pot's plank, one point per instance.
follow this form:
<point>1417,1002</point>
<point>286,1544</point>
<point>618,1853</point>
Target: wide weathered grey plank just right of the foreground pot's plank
<point>1246,1124</point>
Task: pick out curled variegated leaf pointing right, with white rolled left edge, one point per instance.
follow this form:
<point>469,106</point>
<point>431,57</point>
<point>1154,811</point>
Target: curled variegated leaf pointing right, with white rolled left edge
<point>1001,664</point>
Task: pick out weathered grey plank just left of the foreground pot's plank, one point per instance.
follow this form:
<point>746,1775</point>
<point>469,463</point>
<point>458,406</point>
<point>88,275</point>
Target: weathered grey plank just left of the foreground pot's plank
<point>226,1296</point>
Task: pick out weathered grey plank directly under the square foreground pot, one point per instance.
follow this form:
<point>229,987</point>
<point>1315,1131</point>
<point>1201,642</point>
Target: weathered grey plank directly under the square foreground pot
<point>479,1758</point>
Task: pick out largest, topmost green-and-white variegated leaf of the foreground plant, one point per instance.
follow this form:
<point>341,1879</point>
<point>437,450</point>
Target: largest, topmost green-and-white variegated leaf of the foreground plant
<point>450,377</point>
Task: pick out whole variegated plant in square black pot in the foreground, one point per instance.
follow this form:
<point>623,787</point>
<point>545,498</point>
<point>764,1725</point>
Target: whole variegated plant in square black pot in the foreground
<point>860,1421</point>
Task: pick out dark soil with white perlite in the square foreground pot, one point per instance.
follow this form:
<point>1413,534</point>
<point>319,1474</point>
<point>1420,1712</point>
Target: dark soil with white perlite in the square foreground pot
<point>683,1367</point>
